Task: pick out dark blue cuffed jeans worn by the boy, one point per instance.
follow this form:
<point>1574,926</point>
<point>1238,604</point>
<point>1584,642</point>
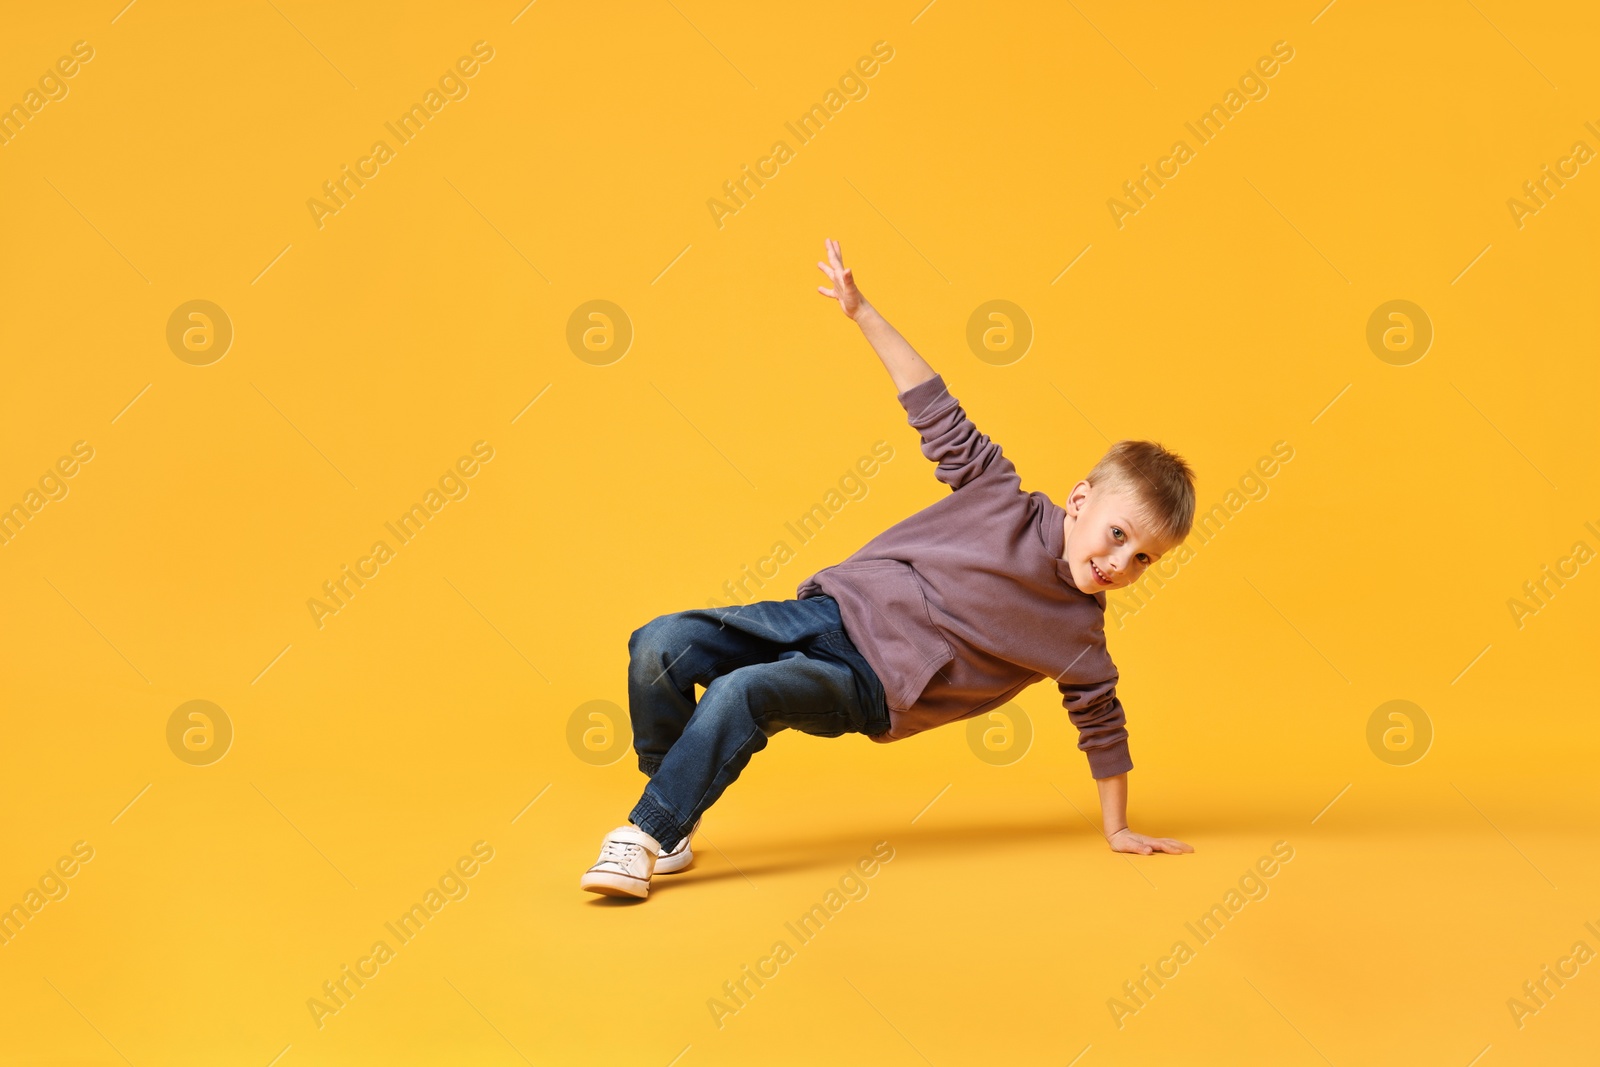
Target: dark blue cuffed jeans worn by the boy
<point>767,666</point>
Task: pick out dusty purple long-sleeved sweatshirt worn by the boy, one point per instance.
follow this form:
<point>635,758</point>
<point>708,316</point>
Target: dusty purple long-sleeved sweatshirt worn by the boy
<point>969,602</point>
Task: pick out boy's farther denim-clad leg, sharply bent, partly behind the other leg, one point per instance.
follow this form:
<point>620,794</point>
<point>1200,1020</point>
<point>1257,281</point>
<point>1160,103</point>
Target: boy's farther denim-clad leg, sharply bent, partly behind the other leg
<point>670,655</point>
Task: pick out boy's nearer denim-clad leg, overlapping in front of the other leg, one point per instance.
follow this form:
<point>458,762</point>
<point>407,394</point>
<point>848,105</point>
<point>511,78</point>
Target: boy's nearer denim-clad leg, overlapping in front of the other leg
<point>817,690</point>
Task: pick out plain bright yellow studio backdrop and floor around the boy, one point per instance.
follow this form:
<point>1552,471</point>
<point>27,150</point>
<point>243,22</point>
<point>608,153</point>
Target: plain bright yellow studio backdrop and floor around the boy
<point>369,354</point>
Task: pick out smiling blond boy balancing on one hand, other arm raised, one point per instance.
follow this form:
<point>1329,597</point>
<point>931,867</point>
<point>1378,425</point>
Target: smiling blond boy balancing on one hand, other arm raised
<point>943,617</point>
